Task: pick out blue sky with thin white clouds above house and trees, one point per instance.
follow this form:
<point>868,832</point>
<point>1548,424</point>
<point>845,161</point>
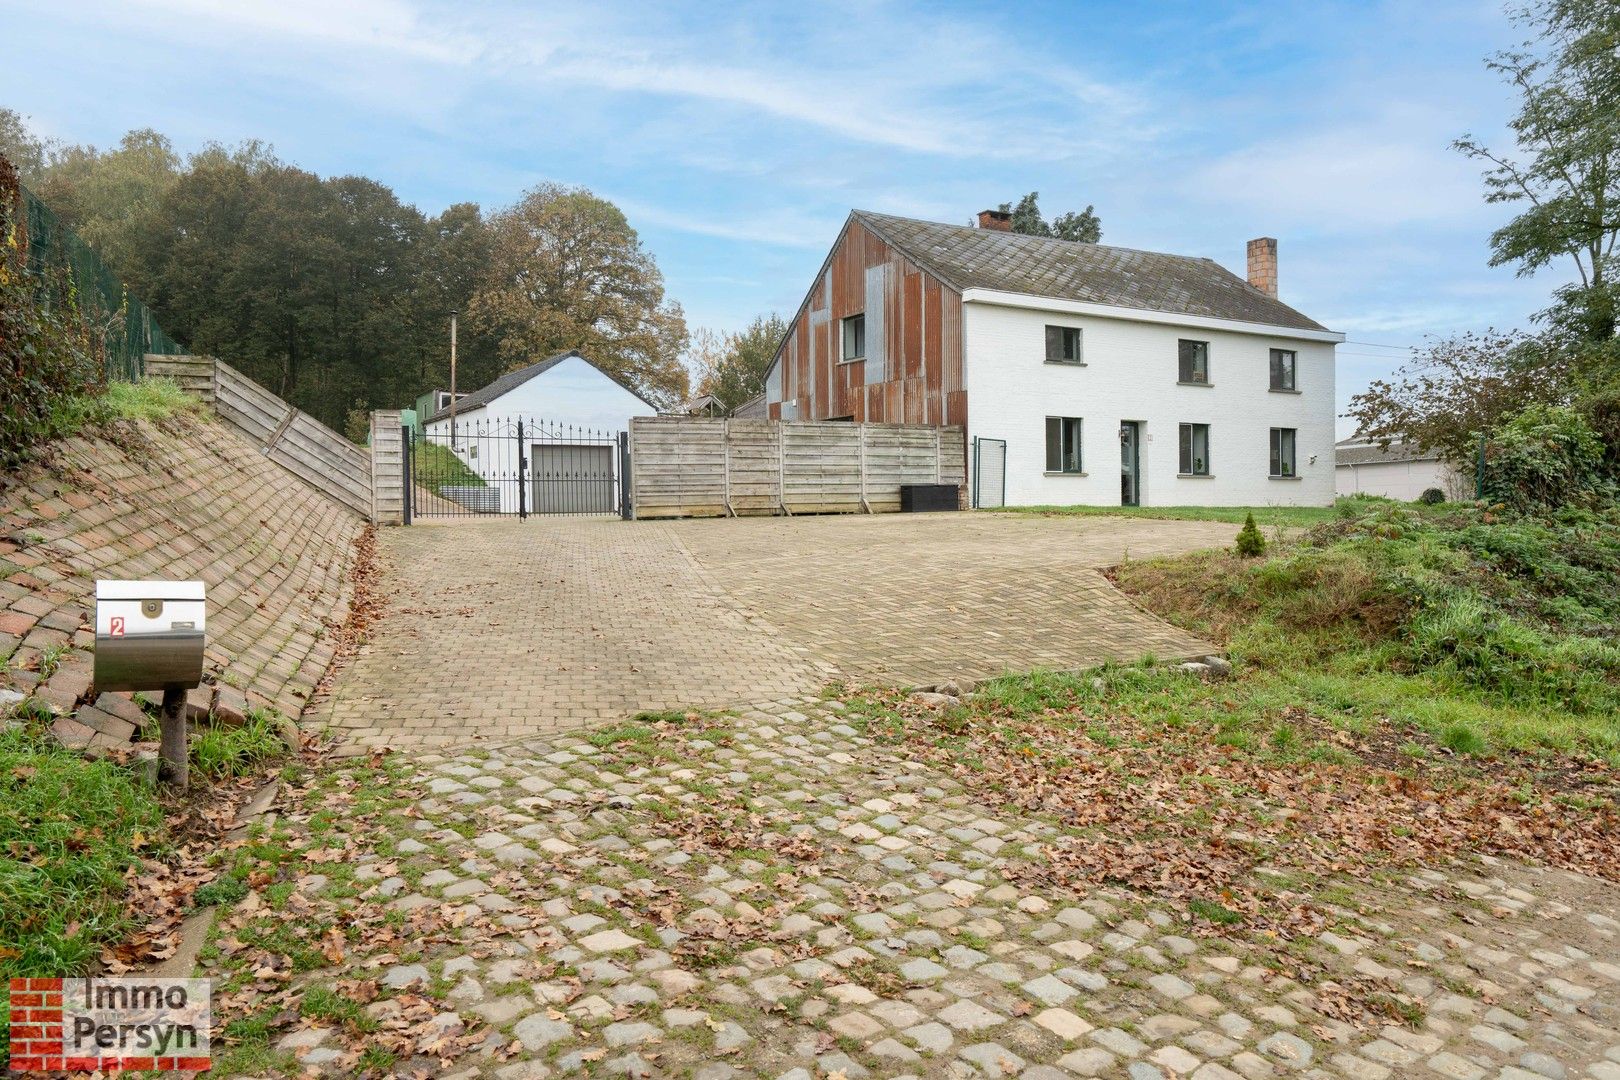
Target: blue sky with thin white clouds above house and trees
<point>738,137</point>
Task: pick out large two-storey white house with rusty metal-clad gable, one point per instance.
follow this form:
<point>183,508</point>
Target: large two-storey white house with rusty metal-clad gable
<point>1114,376</point>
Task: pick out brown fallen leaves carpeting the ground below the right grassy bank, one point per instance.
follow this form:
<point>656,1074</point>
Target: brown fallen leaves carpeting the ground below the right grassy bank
<point>1179,817</point>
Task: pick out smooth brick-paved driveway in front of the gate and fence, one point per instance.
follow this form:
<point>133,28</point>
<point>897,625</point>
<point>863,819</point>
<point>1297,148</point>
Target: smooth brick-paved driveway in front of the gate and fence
<point>501,631</point>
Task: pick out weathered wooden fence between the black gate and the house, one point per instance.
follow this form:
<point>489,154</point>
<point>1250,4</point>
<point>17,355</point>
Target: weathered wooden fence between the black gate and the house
<point>699,467</point>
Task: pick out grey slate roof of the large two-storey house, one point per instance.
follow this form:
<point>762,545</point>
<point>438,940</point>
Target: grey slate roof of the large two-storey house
<point>1065,270</point>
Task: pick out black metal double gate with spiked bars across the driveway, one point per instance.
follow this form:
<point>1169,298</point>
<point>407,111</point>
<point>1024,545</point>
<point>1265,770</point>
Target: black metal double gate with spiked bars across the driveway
<point>516,467</point>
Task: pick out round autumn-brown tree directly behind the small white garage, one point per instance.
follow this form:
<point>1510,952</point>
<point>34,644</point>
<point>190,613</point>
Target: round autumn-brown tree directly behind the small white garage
<point>568,273</point>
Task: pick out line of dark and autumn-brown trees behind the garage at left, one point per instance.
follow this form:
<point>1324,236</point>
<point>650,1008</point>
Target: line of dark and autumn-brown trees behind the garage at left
<point>338,296</point>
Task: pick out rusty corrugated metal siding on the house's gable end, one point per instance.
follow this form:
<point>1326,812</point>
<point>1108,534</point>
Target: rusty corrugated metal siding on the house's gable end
<point>913,373</point>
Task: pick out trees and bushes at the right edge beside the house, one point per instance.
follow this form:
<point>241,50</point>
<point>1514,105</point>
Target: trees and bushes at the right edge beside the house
<point>1541,404</point>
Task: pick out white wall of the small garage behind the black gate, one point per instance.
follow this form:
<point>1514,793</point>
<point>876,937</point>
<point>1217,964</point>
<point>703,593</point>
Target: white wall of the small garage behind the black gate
<point>571,404</point>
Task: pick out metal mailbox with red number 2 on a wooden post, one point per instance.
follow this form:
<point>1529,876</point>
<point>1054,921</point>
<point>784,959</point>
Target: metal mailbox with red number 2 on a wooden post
<point>150,636</point>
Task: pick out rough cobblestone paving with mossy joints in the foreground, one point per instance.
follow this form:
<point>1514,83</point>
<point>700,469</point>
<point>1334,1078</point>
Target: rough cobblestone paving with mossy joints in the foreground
<point>848,912</point>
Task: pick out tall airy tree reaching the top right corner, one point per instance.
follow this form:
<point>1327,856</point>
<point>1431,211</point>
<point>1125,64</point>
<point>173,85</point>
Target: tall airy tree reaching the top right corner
<point>1566,168</point>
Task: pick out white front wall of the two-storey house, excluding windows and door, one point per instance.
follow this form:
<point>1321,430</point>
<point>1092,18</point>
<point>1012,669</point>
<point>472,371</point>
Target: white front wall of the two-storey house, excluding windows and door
<point>1130,373</point>
